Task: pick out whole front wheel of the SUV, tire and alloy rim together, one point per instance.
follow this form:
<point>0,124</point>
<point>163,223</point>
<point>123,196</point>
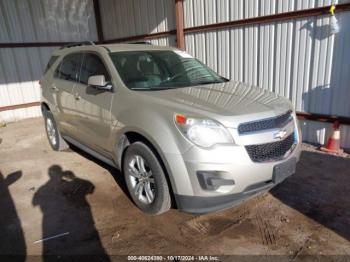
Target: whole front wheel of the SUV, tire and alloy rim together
<point>146,180</point>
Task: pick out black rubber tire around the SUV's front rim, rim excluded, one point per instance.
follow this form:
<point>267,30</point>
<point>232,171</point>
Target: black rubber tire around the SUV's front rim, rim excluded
<point>161,185</point>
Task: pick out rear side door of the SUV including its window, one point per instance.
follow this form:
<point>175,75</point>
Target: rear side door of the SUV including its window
<point>64,79</point>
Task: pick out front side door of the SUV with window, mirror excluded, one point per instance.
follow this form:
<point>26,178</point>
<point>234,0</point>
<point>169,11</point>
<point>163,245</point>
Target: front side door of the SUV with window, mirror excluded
<point>94,106</point>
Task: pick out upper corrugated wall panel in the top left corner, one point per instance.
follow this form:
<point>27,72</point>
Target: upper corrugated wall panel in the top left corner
<point>47,21</point>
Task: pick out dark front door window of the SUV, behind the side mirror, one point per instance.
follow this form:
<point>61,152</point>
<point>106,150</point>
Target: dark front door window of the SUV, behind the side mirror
<point>92,65</point>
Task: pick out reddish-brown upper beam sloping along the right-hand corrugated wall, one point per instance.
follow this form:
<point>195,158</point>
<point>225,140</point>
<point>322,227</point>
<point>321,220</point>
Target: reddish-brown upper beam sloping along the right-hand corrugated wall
<point>268,19</point>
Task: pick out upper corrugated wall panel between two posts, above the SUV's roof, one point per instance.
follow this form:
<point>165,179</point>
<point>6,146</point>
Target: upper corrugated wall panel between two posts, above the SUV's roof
<point>125,18</point>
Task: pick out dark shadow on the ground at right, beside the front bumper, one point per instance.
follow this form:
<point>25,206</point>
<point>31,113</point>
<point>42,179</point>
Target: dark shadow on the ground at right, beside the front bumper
<point>321,189</point>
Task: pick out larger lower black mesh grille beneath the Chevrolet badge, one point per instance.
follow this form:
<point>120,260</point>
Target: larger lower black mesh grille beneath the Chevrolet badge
<point>270,151</point>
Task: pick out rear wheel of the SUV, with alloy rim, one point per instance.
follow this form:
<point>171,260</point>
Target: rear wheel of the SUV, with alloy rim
<point>56,141</point>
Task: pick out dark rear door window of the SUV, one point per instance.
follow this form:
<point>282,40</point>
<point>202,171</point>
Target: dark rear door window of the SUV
<point>69,68</point>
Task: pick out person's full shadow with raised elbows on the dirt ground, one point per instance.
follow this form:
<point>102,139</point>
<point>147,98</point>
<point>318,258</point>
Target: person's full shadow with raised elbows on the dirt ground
<point>68,226</point>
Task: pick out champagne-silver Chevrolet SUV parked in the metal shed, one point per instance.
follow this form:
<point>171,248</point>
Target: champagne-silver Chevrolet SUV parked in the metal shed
<point>181,134</point>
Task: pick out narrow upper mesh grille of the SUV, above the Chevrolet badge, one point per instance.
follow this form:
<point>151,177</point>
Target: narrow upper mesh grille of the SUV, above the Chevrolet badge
<point>265,124</point>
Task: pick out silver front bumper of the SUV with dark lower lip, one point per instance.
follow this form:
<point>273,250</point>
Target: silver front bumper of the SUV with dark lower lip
<point>229,163</point>
